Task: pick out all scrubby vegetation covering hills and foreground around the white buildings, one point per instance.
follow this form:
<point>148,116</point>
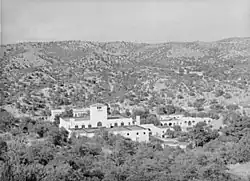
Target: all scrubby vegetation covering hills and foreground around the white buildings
<point>198,79</point>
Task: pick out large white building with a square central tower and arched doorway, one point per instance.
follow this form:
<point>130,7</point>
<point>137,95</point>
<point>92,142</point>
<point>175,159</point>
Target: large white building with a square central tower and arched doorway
<point>84,124</point>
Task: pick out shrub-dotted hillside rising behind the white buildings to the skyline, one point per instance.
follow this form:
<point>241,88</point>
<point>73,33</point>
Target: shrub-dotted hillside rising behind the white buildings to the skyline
<point>36,77</point>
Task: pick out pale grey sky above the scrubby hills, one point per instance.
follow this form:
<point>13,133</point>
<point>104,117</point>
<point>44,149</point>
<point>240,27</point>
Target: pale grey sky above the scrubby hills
<point>150,21</point>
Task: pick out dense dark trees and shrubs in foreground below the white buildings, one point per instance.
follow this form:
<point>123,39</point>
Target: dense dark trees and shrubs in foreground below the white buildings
<point>42,151</point>
